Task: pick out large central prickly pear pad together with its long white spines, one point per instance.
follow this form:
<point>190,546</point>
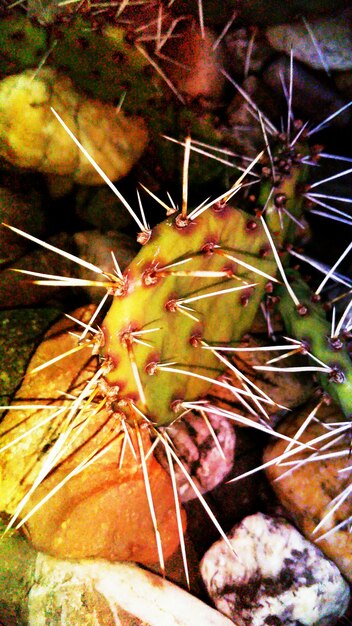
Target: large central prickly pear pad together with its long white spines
<point>161,342</point>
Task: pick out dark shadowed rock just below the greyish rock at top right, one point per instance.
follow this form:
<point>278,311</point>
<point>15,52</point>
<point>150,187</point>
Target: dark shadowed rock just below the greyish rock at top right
<point>312,97</point>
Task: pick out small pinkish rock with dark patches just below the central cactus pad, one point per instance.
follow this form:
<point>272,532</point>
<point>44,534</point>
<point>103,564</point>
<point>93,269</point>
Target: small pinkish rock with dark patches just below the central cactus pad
<point>199,453</point>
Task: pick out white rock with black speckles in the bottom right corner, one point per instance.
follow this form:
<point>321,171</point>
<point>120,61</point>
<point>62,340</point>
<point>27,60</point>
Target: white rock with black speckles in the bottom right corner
<point>277,579</point>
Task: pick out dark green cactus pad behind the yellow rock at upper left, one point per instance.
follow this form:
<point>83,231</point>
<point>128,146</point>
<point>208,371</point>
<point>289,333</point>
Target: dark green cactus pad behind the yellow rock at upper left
<point>108,62</point>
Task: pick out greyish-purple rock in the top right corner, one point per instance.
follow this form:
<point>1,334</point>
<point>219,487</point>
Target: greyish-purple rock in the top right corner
<point>332,48</point>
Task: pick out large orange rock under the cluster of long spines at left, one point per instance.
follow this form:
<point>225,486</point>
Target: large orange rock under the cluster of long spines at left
<point>91,498</point>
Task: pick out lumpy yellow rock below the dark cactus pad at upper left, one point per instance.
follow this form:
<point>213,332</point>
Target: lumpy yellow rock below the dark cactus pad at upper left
<point>30,137</point>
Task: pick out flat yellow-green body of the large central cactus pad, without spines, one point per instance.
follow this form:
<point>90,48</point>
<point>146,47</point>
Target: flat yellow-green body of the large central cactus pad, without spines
<point>150,300</point>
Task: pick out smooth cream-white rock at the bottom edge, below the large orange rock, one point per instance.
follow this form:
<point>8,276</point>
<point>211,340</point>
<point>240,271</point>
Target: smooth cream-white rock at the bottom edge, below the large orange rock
<point>97,593</point>
